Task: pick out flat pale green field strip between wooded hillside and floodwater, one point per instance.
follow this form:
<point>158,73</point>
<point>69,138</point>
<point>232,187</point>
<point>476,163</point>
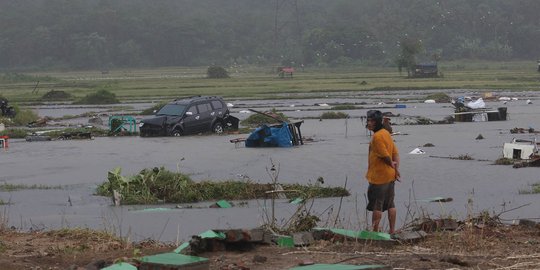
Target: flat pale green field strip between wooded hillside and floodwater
<point>256,82</point>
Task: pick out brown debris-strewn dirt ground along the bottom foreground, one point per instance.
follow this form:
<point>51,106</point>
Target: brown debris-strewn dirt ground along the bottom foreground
<point>473,247</point>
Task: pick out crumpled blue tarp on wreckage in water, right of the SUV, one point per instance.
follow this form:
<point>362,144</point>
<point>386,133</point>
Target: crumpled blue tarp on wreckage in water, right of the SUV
<point>266,136</point>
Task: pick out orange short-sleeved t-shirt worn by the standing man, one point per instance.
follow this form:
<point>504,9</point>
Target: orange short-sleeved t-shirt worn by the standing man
<point>381,146</point>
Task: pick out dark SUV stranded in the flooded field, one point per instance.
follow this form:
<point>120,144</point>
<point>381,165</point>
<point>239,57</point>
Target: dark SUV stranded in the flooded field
<point>190,115</point>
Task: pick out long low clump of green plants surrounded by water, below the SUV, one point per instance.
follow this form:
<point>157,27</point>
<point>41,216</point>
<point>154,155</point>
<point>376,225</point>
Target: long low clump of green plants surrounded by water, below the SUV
<point>160,185</point>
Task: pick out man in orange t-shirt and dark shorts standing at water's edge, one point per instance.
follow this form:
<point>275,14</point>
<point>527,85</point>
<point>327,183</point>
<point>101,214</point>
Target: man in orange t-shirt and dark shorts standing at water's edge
<point>383,171</point>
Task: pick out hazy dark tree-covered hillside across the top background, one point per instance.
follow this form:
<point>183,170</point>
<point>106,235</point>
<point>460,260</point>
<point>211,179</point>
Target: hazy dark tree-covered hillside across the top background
<point>100,34</point>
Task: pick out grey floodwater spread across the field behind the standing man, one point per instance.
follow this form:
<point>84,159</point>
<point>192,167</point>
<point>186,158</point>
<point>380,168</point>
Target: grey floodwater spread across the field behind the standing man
<point>338,154</point>
